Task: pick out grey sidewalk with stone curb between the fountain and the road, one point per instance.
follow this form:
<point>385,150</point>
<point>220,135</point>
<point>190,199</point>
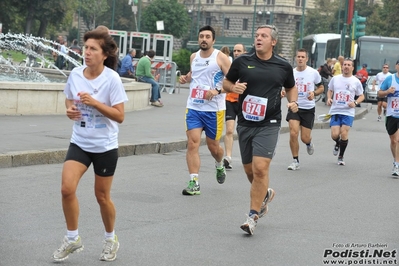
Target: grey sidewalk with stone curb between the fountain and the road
<point>32,140</point>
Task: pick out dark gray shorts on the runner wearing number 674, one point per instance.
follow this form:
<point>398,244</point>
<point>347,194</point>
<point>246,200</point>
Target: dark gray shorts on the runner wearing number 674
<point>257,141</point>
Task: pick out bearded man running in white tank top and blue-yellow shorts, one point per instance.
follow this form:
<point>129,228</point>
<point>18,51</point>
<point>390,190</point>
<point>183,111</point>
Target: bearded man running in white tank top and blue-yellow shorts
<point>206,107</point>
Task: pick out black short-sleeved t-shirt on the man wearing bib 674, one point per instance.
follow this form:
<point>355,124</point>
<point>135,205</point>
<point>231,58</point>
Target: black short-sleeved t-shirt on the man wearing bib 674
<point>264,78</point>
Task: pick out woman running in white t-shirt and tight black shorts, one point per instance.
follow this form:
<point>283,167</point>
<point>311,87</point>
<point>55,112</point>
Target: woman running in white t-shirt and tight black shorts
<point>92,91</point>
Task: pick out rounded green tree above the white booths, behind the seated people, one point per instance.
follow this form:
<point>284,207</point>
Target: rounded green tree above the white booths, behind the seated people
<point>174,15</point>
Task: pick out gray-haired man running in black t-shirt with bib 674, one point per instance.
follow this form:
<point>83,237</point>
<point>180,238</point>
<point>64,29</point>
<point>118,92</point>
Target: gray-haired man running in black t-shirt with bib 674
<point>258,78</point>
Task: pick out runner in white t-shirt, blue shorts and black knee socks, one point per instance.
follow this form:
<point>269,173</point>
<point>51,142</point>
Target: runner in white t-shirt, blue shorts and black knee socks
<point>342,90</point>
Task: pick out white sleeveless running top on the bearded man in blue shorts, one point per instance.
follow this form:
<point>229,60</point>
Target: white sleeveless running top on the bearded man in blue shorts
<point>206,75</point>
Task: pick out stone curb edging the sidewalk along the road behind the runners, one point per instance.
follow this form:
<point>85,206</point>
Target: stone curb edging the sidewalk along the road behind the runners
<point>55,156</point>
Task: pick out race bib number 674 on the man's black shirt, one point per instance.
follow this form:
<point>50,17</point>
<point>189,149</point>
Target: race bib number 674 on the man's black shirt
<point>254,108</point>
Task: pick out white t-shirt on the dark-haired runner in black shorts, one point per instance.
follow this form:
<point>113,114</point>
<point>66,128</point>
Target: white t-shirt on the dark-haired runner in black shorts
<point>305,82</point>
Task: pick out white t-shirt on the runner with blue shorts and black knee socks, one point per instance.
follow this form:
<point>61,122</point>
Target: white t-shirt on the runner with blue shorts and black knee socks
<point>344,91</point>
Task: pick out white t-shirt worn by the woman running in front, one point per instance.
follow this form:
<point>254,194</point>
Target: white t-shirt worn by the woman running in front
<point>94,132</point>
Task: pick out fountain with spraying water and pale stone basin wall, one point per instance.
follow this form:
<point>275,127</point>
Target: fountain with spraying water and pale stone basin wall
<point>28,90</point>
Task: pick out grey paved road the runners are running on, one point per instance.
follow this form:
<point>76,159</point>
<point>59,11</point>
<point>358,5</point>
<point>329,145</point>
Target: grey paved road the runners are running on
<point>321,208</point>
